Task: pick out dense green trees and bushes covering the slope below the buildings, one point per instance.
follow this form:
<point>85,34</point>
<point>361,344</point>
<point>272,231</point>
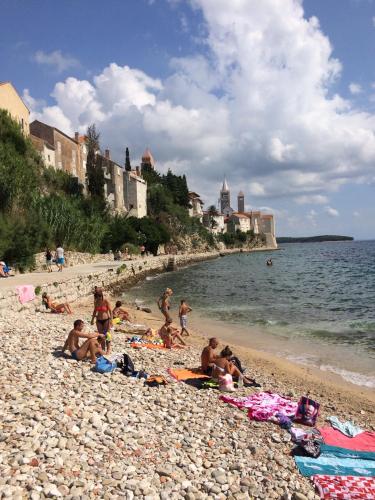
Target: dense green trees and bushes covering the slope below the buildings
<point>41,207</point>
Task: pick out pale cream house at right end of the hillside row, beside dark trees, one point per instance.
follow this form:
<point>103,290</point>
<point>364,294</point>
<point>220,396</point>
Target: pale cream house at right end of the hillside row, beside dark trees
<point>135,193</point>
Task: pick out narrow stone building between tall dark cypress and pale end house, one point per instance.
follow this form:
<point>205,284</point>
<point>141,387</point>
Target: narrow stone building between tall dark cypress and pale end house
<point>114,182</point>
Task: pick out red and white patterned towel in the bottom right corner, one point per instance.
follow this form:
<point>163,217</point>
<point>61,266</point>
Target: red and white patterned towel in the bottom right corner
<point>345,487</point>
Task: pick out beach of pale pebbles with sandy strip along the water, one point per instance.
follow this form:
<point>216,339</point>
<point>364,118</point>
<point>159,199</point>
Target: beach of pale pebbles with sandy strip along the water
<point>67,431</point>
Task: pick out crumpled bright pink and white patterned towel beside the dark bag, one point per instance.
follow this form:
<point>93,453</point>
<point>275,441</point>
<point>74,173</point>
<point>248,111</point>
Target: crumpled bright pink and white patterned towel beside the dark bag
<point>263,406</point>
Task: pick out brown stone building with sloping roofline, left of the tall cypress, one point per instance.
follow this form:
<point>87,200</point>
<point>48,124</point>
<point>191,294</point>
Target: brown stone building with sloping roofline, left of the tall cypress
<point>67,149</point>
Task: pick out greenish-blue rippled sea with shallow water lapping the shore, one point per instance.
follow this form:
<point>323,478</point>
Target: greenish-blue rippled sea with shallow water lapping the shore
<point>314,306</point>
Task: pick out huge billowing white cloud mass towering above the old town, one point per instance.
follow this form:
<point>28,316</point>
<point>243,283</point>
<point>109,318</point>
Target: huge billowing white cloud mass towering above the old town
<point>258,104</point>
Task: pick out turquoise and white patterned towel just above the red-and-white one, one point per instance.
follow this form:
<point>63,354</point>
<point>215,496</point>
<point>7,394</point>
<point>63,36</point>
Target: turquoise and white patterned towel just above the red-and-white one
<point>335,466</point>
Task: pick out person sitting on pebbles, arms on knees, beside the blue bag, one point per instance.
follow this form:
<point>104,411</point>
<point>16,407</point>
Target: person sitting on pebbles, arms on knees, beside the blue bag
<point>90,348</point>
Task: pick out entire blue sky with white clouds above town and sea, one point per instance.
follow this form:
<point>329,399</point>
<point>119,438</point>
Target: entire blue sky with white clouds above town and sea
<point>276,95</point>
